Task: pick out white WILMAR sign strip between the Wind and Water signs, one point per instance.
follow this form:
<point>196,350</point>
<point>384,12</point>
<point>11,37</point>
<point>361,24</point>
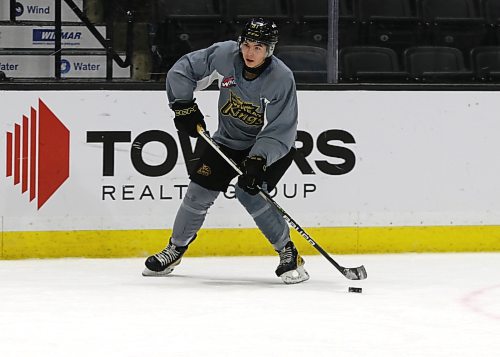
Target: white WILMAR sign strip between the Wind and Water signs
<point>43,37</point>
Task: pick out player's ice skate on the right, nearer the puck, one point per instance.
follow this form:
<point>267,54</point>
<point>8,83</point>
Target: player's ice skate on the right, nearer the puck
<point>291,268</point>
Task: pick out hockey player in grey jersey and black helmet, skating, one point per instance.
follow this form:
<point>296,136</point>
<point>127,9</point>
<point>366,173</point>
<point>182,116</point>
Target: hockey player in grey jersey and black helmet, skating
<point>257,127</point>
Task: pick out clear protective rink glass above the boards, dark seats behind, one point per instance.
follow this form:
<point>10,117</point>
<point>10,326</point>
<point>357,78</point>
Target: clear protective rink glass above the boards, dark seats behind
<point>370,41</point>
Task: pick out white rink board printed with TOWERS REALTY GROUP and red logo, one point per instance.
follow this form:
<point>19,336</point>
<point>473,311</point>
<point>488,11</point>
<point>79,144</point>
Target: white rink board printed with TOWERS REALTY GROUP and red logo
<point>368,159</point>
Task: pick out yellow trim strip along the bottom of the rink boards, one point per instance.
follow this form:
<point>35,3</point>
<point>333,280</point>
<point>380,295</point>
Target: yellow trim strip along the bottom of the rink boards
<point>246,242</point>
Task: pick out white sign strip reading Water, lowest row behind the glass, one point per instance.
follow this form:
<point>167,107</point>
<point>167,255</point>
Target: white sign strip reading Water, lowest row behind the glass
<point>72,66</point>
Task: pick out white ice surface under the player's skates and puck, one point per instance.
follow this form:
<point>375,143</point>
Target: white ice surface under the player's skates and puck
<point>411,305</point>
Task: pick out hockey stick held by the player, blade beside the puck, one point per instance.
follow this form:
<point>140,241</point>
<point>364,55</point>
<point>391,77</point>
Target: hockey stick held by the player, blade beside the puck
<point>358,273</point>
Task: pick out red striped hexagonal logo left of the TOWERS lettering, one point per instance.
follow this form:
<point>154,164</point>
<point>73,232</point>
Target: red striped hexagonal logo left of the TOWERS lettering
<point>38,154</point>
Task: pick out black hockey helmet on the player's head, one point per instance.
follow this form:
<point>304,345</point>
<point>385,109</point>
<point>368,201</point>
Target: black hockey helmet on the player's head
<point>262,31</point>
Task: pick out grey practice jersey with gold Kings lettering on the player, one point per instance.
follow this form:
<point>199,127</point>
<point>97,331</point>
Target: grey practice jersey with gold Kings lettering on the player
<point>259,113</point>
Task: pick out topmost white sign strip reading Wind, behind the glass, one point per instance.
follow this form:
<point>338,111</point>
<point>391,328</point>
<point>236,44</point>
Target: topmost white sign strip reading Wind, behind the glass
<point>38,10</point>
